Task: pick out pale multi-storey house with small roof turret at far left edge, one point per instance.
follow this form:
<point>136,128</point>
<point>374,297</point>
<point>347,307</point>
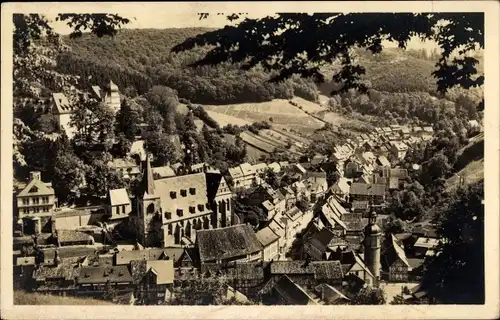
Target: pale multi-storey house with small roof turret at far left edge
<point>36,199</point>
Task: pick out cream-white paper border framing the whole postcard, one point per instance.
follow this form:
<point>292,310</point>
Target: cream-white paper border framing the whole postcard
<point>488,311</point>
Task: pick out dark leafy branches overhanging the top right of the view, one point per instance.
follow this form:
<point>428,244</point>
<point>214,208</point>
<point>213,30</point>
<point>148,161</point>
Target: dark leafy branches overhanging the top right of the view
<point>300,43</point>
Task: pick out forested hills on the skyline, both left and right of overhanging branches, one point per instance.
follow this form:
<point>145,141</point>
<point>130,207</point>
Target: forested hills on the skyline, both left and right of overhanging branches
<point>136,59</point>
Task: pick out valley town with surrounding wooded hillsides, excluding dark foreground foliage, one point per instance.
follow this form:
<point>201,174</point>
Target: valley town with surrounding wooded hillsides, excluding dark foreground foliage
<point>176,186</point>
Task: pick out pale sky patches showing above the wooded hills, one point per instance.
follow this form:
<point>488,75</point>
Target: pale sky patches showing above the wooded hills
<point>145,19</point>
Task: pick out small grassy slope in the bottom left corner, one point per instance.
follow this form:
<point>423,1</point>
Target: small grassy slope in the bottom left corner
<point>24,298</point>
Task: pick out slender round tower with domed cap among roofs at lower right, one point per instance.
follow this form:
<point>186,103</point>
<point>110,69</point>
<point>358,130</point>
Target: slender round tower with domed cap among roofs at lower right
<point>372,244</point>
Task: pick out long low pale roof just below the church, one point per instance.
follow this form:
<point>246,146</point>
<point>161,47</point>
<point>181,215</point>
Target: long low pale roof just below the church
<point>126,256</point>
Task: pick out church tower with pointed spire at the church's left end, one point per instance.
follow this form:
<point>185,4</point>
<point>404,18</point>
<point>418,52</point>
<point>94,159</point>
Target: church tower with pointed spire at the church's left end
<point>148,209</point>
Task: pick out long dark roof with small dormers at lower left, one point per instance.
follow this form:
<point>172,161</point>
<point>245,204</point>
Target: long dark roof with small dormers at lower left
<point>113,274</point>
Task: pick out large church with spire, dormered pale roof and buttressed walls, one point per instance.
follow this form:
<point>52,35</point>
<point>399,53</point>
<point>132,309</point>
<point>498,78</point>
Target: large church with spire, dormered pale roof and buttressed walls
<point>170,210</point>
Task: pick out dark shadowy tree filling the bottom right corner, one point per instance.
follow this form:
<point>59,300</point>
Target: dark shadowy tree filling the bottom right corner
<point>455,274</point>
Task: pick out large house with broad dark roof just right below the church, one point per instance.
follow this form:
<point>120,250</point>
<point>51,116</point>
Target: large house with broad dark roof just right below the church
<point>235,243</point>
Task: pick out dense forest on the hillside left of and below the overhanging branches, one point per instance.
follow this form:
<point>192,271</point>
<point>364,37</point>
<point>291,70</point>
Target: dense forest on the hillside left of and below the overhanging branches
<point>138,59</point>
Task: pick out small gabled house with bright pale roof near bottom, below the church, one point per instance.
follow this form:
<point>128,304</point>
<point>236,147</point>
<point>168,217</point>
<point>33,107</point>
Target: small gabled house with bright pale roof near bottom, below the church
<point>153,280</point>
